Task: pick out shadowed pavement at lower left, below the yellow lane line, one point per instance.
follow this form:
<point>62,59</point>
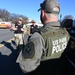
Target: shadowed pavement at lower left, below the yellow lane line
<point>8,56</point>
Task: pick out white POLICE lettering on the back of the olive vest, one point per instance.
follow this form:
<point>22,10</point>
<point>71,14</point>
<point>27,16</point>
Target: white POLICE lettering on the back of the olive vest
<point>59,45</point>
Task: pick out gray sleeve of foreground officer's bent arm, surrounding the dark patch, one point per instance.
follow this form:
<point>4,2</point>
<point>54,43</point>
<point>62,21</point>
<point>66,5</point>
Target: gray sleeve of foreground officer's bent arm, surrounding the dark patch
<point>31,64</point>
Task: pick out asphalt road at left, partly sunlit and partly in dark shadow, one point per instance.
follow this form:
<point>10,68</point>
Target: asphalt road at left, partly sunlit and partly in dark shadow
<point>8,55</point>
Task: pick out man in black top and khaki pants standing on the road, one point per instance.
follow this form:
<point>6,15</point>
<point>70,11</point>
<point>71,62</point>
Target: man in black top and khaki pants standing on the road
<point>19,30</point>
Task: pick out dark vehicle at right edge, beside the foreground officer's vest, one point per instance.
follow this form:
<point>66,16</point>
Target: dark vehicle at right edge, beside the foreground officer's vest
<point>68,67</point>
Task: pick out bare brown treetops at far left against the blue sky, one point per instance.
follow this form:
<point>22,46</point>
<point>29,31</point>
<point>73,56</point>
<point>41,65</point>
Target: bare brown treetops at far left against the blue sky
<point>7,16</point>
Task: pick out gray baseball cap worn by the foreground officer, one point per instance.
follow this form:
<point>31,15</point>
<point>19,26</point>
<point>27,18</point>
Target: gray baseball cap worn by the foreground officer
<point>49,5</point>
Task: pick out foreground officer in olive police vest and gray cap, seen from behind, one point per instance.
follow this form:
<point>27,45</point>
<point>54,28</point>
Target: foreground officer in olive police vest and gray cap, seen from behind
<point>40,55</point>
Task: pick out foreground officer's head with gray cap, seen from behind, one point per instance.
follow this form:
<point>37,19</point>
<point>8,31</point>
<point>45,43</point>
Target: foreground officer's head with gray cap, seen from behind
<point>50,10</point>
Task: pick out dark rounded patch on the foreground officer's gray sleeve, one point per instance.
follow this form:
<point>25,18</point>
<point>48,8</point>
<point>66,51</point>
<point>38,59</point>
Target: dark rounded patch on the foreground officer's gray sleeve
<point>28,51</point>
